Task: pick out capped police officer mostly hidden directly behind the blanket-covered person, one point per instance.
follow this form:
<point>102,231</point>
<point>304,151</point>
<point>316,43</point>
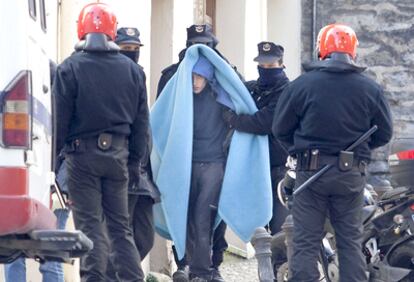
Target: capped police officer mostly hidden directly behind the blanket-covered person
<point>197,34</point>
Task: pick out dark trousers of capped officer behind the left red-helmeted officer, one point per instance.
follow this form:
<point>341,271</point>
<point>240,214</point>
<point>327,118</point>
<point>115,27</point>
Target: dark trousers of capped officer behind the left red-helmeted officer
<point>142,223</point>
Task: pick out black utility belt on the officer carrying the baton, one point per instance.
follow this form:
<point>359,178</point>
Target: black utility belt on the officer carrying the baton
<point>312,160</point>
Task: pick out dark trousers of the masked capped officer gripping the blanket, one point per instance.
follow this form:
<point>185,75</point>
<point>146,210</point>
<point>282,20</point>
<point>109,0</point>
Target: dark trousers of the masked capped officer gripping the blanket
<point>279,212</point>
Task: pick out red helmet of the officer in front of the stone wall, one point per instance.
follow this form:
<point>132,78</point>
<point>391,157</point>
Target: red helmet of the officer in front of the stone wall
<point>337,38</point>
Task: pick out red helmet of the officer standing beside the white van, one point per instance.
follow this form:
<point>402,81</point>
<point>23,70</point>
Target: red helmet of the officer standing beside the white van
<point>97,17</point>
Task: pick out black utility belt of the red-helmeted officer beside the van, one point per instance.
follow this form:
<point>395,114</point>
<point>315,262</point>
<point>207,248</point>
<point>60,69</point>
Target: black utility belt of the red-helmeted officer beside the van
<point>103,141</point>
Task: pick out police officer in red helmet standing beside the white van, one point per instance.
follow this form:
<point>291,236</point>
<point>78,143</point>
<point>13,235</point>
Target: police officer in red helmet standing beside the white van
<point>102,124</point>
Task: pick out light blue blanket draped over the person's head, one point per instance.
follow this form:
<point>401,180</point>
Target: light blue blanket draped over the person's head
<point>246,196</point>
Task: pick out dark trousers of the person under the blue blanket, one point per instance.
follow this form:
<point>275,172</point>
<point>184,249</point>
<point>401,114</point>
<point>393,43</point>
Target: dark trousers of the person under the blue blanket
<point>206,181</point>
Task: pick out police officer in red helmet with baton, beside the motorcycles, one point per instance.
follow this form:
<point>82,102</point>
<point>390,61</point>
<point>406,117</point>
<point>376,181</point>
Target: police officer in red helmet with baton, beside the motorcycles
<point>319,114</point>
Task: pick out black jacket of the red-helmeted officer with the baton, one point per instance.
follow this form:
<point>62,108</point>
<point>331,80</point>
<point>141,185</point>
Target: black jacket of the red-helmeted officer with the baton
<point>329,107</point>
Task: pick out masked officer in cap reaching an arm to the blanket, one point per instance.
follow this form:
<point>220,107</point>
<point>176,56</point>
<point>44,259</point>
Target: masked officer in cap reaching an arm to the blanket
<point>266,91</point>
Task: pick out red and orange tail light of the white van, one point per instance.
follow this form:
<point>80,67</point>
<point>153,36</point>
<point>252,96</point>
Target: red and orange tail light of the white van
<point>16,109</point>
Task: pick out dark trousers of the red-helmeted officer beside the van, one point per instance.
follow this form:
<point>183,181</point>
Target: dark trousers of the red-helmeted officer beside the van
<point>97,182</point>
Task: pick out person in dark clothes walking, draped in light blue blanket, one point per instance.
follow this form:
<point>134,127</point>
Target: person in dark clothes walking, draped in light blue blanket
<point>190,150</point>
